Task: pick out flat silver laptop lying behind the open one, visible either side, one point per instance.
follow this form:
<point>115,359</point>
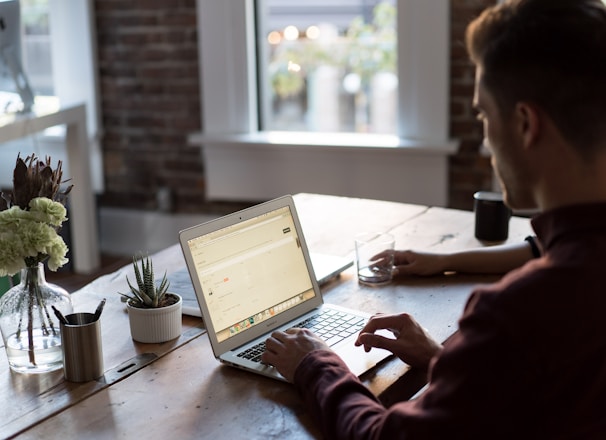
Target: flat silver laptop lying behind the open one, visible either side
<point>326,267</point>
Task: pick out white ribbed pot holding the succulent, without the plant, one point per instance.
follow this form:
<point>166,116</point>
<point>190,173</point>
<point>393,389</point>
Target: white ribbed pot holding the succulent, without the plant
<point>155,325</point>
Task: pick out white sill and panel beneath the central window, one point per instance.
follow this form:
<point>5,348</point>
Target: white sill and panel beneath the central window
<point>263,165</point>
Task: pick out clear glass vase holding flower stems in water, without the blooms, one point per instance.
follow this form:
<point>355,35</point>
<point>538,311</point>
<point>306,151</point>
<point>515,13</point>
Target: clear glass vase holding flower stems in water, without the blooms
<point>30,328</point>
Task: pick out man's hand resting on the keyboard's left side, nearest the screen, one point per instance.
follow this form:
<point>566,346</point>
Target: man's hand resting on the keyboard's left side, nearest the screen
<point>286,350</point>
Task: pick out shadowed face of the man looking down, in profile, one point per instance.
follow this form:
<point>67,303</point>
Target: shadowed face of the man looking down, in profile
<point>503,140</point>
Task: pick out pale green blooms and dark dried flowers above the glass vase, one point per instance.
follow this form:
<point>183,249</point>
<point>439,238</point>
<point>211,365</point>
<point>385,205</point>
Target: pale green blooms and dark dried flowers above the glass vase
<point>31,215</point>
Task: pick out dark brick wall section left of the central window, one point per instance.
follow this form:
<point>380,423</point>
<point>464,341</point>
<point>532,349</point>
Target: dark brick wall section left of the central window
<point>148,72</point>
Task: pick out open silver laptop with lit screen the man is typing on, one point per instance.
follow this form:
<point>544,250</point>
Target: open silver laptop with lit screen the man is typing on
<point>252,274</point>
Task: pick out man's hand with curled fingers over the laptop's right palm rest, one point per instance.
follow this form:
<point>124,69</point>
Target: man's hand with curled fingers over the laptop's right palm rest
<point>412,344</point>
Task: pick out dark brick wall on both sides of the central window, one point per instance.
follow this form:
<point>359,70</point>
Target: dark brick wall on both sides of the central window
<point>148,71</point>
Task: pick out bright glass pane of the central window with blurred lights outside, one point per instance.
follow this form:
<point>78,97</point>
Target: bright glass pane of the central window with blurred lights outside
<point>327,66</point>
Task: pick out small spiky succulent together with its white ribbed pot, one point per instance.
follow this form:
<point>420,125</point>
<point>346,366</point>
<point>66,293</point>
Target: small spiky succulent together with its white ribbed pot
<point>154,313</point>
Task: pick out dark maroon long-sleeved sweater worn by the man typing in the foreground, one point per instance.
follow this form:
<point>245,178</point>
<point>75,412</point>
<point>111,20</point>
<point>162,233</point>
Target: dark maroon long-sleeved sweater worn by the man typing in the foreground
<point>528,361</point>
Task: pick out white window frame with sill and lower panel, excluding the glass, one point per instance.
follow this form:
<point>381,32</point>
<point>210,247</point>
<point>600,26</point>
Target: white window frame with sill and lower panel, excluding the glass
<point>243,160</point>
